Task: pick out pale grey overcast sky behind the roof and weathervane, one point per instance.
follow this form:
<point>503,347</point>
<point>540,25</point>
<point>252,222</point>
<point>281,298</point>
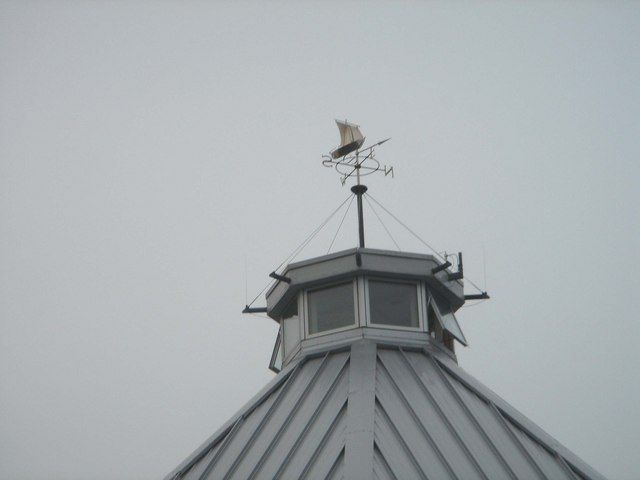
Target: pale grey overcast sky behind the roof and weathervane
<point>159,159</point>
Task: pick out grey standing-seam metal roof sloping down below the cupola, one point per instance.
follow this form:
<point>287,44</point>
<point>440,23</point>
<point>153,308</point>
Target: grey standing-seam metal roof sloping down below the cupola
<point>375,411</point>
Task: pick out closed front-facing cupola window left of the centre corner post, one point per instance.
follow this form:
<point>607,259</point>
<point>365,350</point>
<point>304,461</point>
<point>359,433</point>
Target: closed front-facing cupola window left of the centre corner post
<point>331,308</point>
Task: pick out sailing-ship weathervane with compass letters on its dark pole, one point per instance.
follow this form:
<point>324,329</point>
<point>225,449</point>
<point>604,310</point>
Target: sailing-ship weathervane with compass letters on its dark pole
<point>348,159</point>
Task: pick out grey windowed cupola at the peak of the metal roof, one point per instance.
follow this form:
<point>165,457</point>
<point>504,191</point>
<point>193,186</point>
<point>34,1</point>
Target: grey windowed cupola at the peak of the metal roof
<point>364,292</point>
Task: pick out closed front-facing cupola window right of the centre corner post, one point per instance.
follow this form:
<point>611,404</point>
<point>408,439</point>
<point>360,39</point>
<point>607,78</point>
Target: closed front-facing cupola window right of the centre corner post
<point>393,303</point>
